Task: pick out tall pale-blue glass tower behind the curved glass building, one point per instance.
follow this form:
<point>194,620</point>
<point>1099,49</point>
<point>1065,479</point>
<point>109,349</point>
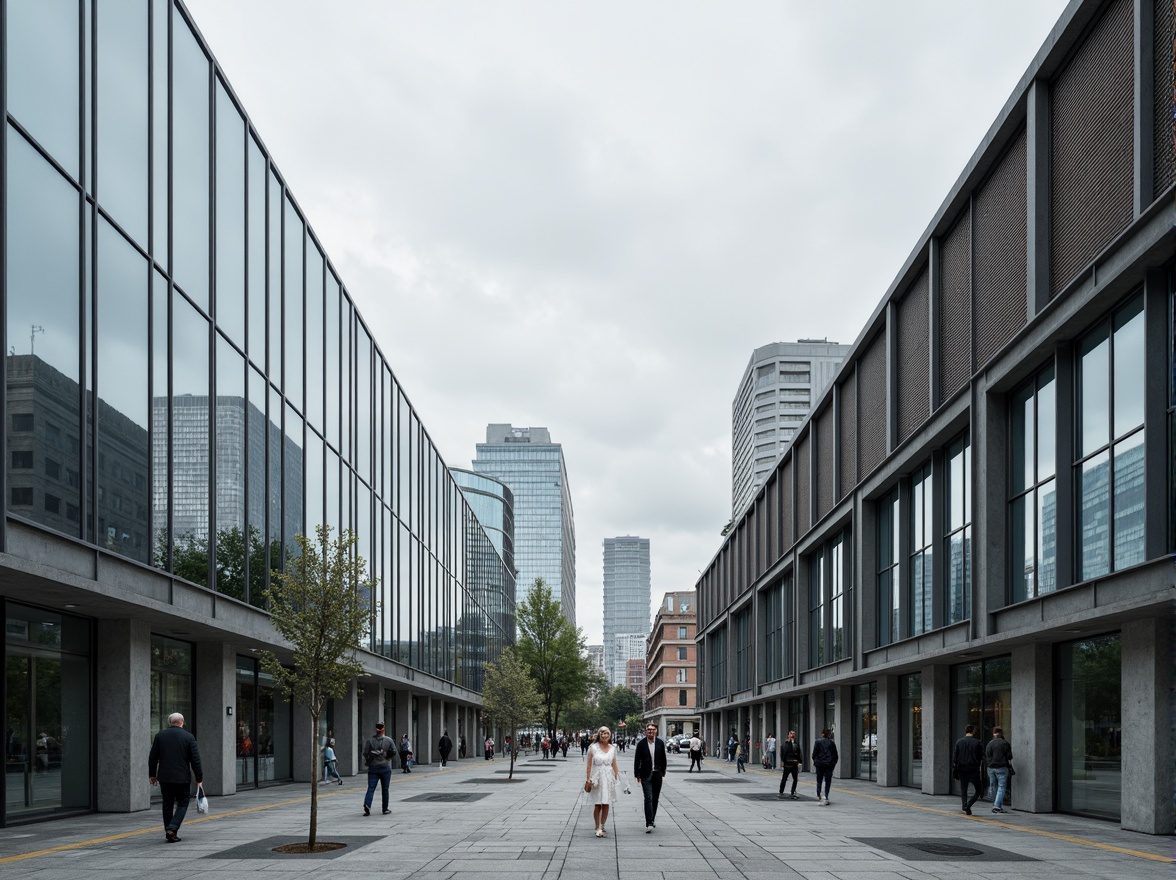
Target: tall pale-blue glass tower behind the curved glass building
<point>545,539</point>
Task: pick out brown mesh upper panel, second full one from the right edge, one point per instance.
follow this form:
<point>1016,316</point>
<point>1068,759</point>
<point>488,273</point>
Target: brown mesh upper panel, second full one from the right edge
<point>1000,242</point>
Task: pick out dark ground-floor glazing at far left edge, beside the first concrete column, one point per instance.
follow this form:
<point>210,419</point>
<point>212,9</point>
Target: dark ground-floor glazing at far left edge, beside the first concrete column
<point>49,712</point>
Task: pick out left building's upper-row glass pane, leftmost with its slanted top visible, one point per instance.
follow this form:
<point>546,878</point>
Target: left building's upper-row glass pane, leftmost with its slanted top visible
<point>190,122</point>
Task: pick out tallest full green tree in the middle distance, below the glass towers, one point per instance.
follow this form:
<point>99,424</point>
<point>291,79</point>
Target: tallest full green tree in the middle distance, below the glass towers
<point>554,652</point>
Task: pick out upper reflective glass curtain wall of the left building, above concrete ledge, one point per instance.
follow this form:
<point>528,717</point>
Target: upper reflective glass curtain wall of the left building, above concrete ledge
<point>223,394</point>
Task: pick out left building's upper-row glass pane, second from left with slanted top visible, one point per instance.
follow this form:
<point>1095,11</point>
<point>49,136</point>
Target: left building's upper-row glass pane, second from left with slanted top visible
<point>230,218</point>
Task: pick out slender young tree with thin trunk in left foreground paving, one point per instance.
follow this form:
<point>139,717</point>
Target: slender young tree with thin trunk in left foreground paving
<point>323,606</point>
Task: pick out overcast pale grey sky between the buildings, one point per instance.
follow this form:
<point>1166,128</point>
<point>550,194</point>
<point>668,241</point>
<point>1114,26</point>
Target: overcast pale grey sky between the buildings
<point>586,216</point>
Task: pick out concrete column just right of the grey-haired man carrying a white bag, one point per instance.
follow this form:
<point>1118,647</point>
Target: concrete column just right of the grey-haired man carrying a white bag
<point>216,728</point>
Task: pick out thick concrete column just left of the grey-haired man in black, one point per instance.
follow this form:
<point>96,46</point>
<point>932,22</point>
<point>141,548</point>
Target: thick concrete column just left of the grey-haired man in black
<point>123,670</point>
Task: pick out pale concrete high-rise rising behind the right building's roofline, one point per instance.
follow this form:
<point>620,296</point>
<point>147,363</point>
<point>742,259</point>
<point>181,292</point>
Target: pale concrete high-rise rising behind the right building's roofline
<point>779,388</point>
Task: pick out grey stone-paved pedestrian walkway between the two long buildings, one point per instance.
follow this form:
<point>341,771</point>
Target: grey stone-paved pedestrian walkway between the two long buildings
<point>470,822</point>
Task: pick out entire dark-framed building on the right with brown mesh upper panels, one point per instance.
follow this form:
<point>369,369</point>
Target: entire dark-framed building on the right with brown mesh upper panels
<point>978,516</point>
